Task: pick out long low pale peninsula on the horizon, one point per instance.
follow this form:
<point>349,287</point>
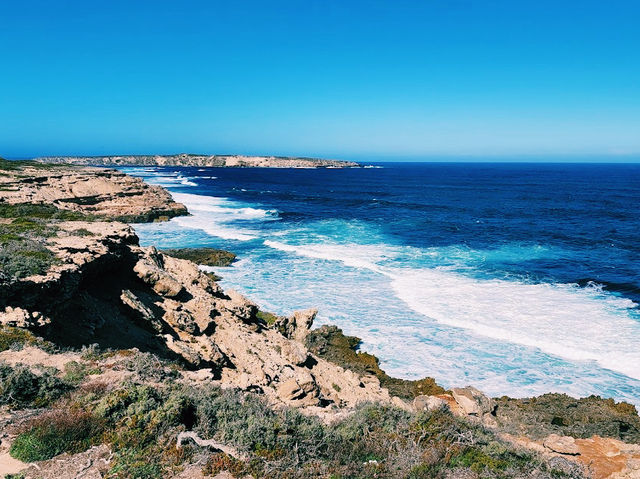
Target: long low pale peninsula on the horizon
<point>185,159</point>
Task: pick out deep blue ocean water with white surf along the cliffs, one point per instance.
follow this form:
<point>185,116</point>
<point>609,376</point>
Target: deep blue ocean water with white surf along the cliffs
<point>519,279</point>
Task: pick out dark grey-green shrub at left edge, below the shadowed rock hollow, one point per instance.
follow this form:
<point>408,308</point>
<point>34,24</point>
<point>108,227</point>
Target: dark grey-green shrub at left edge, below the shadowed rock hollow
<point>20,387</point>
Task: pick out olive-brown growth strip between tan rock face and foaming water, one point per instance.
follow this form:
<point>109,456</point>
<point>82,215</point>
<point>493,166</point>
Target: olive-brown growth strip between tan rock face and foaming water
<point>330,343</point>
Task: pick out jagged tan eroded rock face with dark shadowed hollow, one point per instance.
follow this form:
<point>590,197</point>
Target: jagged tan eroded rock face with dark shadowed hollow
<point>108,290</point>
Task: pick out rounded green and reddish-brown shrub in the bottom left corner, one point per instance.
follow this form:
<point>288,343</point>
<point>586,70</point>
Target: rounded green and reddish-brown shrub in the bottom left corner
<point>56,432</point>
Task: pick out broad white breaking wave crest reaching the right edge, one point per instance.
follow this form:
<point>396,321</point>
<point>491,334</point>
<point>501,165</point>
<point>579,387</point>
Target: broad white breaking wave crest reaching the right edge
<point>577,324</point>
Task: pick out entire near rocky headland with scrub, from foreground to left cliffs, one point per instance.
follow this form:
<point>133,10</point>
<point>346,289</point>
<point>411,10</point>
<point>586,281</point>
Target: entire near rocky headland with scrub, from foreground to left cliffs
<point>118,360</point>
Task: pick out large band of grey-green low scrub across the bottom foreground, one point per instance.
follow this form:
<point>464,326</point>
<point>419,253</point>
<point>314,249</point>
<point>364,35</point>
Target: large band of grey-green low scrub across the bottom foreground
<point>140,421</point>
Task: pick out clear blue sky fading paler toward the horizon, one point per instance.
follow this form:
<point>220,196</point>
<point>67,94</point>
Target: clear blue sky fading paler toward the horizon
<point>344,79</point>
